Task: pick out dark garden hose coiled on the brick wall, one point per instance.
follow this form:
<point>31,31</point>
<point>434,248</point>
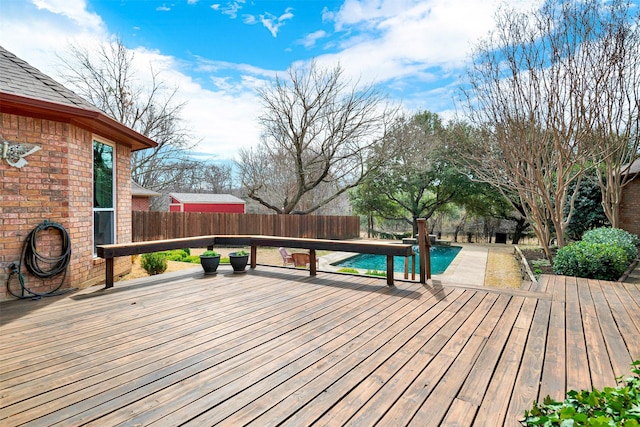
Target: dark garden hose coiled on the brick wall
<point>36,262</point>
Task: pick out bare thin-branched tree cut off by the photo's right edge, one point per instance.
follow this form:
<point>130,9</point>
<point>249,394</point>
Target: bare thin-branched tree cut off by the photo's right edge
<point>615,102</point>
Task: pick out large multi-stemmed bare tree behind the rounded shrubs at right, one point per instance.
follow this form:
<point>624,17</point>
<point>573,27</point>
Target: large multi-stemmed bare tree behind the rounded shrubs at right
<point>531,83</point>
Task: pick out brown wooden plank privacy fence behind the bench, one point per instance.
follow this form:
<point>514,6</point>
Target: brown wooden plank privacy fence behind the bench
<point>174,225</point>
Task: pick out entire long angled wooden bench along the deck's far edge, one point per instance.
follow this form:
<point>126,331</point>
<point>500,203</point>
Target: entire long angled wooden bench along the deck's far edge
<point>110,252</point>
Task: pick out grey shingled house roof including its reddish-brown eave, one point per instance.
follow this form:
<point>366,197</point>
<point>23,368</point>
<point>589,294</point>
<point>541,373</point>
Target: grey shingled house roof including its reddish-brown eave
<point>24,90</point>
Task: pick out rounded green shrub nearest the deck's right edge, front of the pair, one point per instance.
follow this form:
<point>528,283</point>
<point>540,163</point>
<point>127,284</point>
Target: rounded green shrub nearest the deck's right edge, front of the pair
<point>592,260</point>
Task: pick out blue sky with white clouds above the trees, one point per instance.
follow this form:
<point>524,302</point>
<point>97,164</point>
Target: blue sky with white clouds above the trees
<point>217,52</point>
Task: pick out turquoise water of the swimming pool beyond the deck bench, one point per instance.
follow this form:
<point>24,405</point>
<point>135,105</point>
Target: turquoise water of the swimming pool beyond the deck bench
<point>441,257</point>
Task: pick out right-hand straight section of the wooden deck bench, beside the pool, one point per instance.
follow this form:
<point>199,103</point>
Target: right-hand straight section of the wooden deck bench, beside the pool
<point>374,248</point>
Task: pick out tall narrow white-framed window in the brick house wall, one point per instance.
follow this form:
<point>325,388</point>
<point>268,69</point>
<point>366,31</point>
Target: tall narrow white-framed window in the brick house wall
<point>103,195</point>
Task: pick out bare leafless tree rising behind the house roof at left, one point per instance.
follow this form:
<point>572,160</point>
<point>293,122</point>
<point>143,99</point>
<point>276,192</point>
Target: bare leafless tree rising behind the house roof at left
<point>107,78</point>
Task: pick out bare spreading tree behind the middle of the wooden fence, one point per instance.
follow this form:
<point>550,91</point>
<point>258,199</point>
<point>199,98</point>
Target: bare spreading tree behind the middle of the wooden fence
<point>320,132</point>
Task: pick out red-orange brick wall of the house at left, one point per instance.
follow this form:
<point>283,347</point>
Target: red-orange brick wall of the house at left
<point>57,185</point>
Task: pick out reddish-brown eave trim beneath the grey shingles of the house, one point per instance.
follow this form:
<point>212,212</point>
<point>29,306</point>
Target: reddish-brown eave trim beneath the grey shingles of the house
<point>91,120</point>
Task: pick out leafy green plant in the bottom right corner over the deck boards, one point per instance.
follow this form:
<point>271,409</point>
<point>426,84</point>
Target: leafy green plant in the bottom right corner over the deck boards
<point>619,406</point>
